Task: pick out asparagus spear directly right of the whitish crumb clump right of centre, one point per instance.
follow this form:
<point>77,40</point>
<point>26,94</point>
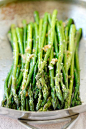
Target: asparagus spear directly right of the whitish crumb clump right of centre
<point>58,65</point>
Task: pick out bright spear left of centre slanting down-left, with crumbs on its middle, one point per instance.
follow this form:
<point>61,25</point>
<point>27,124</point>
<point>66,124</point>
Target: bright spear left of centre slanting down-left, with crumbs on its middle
<point>29,45</point>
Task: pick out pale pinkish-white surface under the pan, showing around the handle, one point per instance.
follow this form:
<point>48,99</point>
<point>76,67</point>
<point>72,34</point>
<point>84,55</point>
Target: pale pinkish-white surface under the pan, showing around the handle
<point>9,123</point>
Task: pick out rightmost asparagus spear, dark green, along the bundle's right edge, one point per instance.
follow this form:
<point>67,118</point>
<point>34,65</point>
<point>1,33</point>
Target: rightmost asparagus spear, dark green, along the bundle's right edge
<point>76,99</point>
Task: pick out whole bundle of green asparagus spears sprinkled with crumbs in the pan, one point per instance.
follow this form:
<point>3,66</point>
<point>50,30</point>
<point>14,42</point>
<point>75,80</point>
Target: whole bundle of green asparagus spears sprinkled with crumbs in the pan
<point>45,74</point>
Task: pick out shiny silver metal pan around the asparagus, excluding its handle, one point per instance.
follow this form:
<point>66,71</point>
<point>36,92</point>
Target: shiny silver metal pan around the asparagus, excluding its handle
<point>14,13</point>
